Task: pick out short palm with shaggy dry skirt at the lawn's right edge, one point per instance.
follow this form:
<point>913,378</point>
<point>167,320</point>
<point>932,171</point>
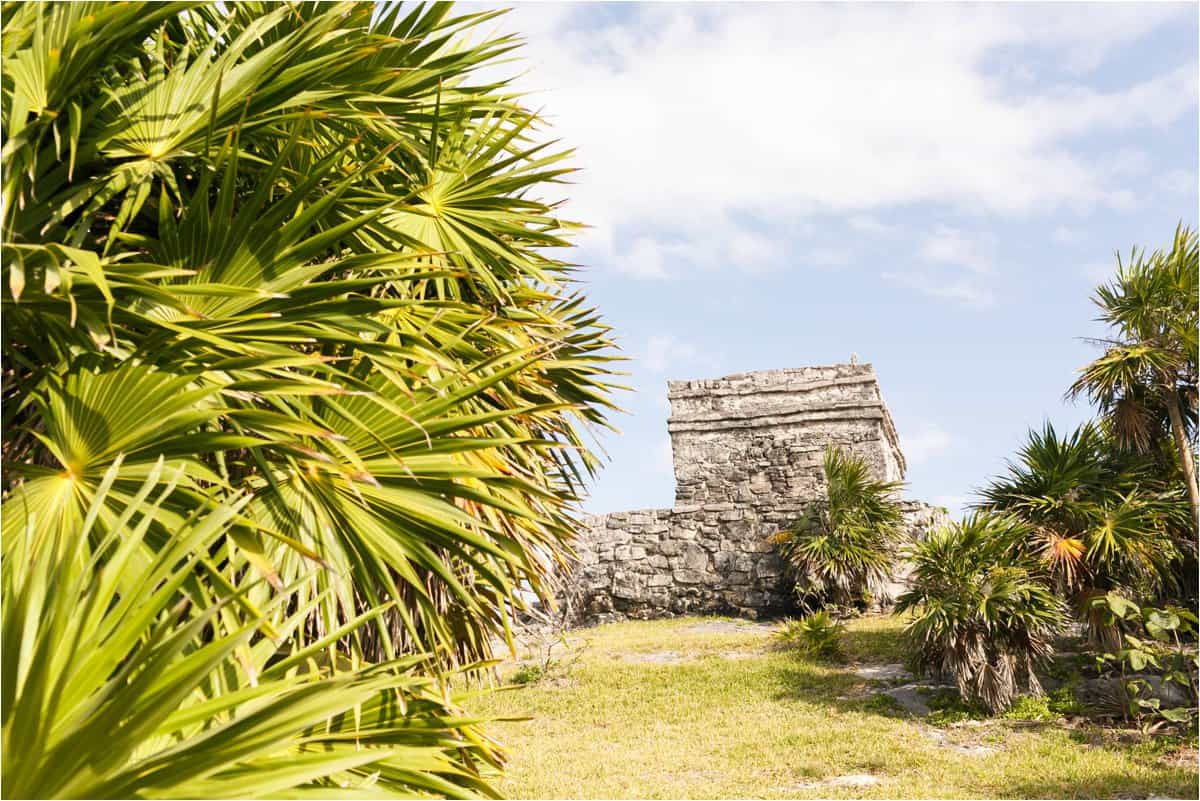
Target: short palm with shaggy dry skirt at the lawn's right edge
<point>983,613</point>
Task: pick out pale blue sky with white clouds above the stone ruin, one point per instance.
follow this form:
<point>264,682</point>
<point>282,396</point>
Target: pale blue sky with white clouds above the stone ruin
<point>933,188</point>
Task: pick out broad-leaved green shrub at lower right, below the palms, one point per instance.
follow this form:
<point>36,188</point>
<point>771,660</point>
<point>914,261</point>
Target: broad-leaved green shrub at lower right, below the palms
<point>1160,643</point>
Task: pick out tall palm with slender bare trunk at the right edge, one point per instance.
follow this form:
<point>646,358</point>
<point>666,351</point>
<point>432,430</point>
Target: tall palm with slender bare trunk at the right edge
<point>1145,383</point>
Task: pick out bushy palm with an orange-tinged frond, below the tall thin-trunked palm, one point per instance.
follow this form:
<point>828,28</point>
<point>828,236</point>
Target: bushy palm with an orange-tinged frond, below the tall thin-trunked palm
<point>1097,519</point>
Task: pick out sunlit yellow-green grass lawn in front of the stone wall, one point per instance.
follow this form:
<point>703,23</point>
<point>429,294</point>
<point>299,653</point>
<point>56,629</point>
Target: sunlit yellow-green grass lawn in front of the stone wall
<point>709,708</point>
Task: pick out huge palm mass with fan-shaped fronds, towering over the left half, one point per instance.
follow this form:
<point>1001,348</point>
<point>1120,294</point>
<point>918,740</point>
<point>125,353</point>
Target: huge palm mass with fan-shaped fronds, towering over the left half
<point>302,257</point>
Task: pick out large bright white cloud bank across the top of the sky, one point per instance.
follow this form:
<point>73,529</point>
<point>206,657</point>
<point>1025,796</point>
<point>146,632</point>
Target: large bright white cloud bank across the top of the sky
<point>691,121</point>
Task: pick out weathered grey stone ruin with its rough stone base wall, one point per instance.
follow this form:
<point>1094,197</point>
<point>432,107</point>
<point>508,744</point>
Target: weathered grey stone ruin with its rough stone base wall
<point>748,454</point>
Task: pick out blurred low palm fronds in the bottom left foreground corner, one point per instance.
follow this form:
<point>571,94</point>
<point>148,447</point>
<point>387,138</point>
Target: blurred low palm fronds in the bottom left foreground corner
<point>125,677</point>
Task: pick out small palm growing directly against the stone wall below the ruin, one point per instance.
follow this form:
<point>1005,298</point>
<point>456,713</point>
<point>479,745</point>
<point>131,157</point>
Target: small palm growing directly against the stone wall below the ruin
<point>843,547</point>
